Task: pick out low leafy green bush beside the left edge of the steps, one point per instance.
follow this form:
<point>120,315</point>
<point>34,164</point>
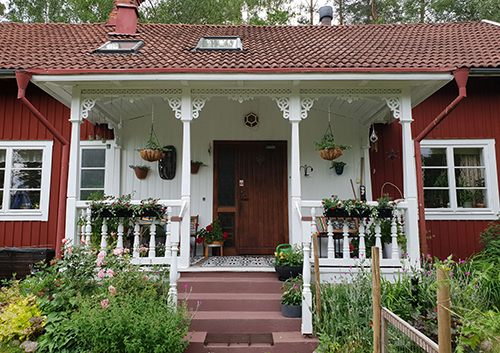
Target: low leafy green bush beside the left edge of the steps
<point>130,322</point>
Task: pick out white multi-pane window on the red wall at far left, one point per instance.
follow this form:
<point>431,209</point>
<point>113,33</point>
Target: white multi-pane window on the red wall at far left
<point>24,180</point>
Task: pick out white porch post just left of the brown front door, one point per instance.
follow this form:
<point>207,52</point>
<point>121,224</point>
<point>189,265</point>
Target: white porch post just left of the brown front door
<point>186,118</point>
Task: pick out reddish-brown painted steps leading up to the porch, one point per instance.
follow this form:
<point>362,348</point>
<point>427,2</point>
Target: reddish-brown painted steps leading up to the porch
<point>240,312</point>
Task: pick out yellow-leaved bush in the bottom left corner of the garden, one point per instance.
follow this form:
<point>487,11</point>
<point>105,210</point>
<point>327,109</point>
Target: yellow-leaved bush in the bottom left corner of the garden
<point>20,316</point>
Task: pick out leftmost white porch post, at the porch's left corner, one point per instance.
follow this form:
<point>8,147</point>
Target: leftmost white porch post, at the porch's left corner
<point>74,166</point>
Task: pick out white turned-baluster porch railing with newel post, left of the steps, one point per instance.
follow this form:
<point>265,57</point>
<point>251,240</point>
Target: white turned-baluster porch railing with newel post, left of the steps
<point>172,237</point>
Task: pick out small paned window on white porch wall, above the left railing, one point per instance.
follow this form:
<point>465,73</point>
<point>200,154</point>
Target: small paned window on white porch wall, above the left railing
<point>93,163</point>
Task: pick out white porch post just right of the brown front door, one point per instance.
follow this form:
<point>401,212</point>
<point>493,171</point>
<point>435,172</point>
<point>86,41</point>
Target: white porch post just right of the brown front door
<point>296,193</point>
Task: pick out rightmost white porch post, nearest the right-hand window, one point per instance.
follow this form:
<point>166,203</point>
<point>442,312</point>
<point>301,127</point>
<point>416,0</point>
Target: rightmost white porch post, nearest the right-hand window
<point>409,180</point>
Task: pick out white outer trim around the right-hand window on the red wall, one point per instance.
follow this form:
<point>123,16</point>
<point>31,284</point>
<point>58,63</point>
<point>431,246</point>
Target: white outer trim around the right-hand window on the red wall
<point>490,213</point>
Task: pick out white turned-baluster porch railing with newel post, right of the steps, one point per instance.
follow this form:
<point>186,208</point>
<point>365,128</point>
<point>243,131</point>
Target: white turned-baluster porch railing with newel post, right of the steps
<point>346,260</point>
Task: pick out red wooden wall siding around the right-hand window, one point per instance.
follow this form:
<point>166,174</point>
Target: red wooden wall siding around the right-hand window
<point>477,116</point>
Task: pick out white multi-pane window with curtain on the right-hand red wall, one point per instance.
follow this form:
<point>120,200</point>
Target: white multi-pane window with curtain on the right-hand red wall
<point>459,176</point>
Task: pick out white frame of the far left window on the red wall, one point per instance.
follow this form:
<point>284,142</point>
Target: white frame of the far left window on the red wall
<point>41,214</point>
